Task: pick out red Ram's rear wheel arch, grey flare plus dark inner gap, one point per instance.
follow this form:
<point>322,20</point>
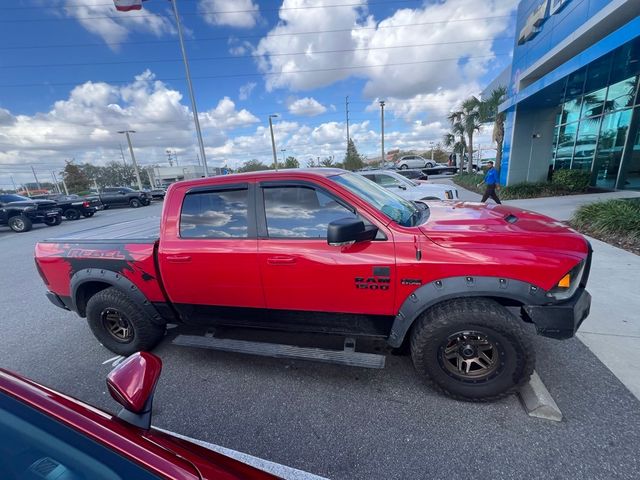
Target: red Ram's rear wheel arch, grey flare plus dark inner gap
<point>86,283</point>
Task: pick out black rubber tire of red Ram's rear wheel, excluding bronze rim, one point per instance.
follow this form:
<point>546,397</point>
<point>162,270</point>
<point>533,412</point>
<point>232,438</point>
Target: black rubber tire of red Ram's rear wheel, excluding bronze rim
<point>146,334</point>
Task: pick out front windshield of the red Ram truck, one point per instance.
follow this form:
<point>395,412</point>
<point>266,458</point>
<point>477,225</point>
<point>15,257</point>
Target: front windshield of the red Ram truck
<point>391,205</point>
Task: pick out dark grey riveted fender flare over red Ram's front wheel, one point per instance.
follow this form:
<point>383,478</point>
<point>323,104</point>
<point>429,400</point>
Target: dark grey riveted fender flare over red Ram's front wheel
<point>456,287</point>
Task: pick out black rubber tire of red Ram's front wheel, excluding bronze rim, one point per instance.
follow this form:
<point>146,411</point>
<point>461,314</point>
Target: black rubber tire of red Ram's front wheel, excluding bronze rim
<point>513,347</point>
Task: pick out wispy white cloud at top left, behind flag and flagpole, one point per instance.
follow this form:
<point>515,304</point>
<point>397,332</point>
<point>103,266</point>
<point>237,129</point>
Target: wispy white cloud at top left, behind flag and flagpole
<point>102,19</point>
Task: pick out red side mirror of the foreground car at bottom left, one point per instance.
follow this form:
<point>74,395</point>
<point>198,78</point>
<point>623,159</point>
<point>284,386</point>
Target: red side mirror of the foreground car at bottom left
<point>132,384</point>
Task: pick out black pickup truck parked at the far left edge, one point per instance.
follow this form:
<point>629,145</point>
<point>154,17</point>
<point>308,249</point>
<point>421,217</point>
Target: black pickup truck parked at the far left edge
<point>20,213</point>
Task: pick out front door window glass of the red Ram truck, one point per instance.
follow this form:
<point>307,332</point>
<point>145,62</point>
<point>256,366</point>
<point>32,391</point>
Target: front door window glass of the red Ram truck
<point>301,212</point>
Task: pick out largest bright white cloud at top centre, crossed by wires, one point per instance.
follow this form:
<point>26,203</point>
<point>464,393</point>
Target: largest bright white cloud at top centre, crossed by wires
<point>449,33</point>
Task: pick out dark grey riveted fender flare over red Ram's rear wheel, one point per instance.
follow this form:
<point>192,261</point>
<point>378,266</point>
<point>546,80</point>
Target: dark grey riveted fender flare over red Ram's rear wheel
<point>118,281</point>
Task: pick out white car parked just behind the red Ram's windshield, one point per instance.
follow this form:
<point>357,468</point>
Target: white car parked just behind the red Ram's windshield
<point>410,190</point>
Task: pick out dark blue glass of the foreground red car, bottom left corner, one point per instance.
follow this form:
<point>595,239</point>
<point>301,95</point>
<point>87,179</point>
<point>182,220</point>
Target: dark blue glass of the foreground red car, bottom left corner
<point>33,446</point>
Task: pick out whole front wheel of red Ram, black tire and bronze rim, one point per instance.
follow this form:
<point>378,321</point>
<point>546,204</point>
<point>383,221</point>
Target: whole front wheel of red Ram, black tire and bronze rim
<point>472,349</point>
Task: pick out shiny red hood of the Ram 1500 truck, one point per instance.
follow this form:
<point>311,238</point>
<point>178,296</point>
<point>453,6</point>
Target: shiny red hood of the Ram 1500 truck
<point>473,225</point>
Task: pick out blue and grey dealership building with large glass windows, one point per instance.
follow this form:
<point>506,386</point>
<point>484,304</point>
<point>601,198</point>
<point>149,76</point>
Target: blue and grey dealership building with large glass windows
<point>572,99</point>
